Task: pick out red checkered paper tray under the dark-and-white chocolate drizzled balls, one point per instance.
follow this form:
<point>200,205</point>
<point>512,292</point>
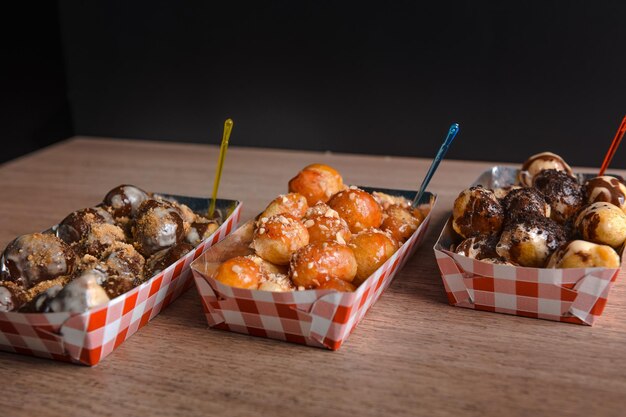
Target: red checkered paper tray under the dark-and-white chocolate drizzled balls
<point>573,295</point>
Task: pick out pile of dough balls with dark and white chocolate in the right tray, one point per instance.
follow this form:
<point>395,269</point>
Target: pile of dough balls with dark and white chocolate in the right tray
<point>547,220</point>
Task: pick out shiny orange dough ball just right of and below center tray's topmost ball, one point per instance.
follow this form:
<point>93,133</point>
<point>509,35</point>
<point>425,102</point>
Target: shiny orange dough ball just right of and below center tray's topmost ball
<point>358,208</point>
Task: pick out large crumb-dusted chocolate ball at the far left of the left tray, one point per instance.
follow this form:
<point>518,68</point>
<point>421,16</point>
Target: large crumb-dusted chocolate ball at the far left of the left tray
<point>37,257</point>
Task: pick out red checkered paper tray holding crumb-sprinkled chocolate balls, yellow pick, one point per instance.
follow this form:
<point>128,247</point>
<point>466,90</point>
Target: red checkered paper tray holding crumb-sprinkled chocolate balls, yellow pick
<point>88,337</point>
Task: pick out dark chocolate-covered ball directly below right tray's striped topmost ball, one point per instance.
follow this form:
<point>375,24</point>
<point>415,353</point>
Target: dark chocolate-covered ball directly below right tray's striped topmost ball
<point>562,192</point>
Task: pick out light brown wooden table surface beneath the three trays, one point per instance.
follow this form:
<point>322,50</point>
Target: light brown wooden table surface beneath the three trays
<point>413,354</point>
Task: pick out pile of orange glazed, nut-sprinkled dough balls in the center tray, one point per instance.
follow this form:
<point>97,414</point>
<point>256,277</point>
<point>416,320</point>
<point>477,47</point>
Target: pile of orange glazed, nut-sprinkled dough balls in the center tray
<point>321,235</point>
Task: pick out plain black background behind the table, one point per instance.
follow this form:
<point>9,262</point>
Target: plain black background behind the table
<point>361,77</point>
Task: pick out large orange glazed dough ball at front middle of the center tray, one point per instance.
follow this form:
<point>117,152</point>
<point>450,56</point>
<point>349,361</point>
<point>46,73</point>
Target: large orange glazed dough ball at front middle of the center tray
<point>319,262</point>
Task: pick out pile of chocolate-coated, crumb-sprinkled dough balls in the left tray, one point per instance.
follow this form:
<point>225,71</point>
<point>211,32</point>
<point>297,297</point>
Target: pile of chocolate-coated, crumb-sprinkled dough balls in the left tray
<point>98,253</point>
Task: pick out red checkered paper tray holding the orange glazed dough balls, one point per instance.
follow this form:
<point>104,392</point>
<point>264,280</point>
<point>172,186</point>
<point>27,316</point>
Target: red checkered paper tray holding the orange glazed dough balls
<point>320,318</point>
